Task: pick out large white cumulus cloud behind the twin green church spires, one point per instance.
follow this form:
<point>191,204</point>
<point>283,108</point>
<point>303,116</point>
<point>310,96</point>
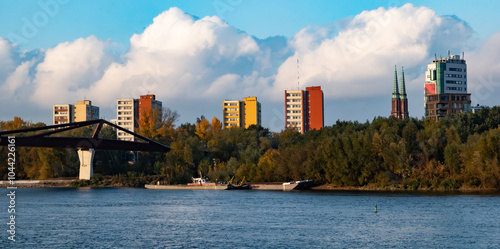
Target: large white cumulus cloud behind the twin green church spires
<point>359,60</point>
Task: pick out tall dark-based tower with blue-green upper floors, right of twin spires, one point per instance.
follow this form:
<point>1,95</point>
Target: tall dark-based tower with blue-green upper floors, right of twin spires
<point>446,87</point>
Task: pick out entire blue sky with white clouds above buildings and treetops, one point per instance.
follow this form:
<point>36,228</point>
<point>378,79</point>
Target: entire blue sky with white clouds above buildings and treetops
<point>195,54</point>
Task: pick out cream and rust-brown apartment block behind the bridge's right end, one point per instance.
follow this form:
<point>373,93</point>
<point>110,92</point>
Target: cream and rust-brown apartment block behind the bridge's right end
<point>129,113</point>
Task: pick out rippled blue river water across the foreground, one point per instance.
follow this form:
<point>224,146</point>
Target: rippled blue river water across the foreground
<point>141,218</point>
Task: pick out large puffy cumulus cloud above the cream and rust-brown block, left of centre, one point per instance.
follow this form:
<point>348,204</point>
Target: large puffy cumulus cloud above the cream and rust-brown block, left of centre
<point>180,57</point>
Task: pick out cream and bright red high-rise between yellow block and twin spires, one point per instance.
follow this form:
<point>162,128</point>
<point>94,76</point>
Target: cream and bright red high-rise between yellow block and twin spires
<point>304,109</point>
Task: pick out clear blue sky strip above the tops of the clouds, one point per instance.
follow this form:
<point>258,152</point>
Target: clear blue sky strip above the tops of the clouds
<point>119,19</point>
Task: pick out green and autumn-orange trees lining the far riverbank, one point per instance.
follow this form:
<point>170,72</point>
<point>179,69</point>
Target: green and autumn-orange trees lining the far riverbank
<point>460,152</point>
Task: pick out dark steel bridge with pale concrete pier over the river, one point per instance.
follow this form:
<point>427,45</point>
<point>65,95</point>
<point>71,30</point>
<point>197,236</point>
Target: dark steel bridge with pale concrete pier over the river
<point>85,146</point>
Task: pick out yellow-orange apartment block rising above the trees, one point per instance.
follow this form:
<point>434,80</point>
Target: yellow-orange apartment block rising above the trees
<point>241,113</point>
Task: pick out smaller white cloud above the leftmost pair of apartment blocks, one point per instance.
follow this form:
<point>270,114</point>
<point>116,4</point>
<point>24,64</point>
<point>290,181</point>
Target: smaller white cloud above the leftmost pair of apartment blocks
<point>68,69</point>
